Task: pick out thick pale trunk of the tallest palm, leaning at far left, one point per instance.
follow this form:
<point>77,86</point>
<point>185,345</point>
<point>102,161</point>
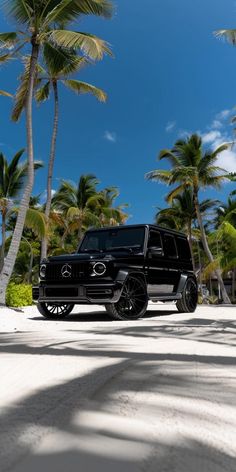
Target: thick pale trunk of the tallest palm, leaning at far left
<point>16,238</point>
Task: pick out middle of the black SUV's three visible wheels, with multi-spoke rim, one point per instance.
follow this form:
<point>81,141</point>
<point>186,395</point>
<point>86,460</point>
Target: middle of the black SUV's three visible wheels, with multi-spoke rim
<point>132,303</point>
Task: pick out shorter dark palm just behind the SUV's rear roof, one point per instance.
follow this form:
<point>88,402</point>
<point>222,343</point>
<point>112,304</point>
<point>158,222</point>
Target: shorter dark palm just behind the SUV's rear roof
<point>182,214</point>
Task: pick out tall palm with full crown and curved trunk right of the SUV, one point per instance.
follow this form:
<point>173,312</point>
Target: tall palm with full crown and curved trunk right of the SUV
<point>192,167</point>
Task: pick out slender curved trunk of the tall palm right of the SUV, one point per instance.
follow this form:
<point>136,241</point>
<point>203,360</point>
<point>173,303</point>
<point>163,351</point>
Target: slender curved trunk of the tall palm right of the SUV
<point>207,250</point>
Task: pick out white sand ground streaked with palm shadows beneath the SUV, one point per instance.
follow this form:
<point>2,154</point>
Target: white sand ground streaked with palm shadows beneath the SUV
<point>89,394</point>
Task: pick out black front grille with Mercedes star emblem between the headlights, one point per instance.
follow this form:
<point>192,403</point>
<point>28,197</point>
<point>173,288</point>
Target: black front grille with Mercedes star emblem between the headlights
<point>65,272</point>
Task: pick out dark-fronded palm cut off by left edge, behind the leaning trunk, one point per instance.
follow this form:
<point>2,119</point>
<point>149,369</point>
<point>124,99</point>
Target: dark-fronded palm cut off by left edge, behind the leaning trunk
<point>12,179</point>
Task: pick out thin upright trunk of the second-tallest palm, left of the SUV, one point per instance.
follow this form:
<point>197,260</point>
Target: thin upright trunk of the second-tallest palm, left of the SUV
<point>50,167</point>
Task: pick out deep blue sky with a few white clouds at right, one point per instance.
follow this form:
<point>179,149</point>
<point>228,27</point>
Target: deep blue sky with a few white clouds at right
<point>169,76</point>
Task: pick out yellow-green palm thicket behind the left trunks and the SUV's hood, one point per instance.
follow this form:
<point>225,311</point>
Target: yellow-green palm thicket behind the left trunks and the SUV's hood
<point>75,208</point>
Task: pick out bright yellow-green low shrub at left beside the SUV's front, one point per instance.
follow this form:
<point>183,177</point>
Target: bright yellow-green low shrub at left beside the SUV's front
<point>19,295</point>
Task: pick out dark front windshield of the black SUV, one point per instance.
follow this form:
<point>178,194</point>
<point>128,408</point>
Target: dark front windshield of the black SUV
<point>112,239</point>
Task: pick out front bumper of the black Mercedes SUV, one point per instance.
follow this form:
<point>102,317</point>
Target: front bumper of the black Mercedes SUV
<point>78,294</point>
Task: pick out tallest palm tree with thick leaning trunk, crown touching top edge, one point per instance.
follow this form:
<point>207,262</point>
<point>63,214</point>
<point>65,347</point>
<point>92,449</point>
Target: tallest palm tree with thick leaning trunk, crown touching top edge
<point>39,24</point>
